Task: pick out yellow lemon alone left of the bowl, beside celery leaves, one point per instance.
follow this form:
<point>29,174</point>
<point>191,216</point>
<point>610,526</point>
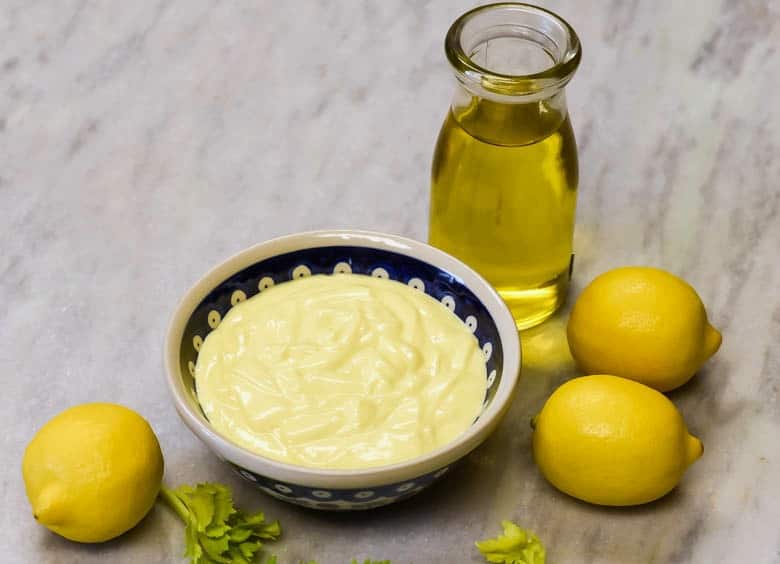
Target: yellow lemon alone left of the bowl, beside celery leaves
<point>92,472</point>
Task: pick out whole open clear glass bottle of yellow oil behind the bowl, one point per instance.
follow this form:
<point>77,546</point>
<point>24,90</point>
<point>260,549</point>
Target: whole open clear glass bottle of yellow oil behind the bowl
<point>504,178</point>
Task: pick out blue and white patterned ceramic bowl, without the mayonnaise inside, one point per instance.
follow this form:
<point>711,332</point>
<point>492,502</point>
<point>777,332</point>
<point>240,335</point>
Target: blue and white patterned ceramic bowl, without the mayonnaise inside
<point>324,252</point>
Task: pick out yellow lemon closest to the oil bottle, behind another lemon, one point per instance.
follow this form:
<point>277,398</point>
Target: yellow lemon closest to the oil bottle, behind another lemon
<point>644,324</point>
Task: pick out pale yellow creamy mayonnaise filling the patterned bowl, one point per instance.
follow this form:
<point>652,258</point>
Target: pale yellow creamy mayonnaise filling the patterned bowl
<point>342,371</point>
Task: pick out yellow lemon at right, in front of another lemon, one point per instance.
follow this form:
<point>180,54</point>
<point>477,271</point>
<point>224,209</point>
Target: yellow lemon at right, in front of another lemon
<point>612,441</point>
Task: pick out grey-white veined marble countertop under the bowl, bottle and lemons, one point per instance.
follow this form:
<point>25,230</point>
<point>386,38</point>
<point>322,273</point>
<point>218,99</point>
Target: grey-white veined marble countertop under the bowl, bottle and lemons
<point>142,142</point>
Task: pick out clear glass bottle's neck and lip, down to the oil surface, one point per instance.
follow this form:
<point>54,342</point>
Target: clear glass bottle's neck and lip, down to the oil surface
<point>512,62</point>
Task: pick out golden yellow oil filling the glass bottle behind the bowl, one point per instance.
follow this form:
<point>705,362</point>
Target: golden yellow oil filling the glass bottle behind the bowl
<point>503,198</point>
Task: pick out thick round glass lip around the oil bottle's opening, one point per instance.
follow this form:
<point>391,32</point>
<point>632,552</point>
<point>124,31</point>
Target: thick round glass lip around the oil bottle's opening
<point>478,77</point>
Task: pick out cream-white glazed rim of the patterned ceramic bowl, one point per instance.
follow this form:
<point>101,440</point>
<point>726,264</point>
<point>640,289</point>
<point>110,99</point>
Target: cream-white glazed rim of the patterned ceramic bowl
<point>338,478</point>
